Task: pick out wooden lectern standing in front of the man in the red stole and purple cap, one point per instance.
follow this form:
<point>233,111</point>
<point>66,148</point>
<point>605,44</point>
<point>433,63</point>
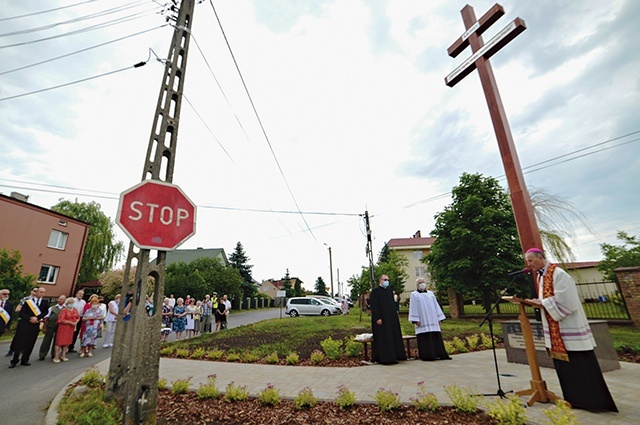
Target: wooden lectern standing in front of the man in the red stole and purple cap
<point>538,390</point>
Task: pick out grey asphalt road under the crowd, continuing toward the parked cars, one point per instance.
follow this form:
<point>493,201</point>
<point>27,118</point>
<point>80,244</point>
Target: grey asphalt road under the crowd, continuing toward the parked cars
<point>27,391</point>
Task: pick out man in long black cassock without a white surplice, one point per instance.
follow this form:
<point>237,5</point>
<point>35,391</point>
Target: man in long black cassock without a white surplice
<point>387,347</point>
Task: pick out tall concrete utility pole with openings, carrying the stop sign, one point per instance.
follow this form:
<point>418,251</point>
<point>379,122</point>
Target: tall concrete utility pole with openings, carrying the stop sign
<point>135,361</point>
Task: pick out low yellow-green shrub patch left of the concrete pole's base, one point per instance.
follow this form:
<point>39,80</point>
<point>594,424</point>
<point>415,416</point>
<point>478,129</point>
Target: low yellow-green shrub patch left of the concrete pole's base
<point>88,409</point>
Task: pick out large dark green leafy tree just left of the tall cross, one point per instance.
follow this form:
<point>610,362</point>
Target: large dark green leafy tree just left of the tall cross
<point>476,240</point>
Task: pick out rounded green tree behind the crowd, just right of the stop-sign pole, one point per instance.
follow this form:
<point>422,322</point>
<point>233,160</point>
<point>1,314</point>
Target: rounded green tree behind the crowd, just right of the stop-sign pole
<point>203,276</point>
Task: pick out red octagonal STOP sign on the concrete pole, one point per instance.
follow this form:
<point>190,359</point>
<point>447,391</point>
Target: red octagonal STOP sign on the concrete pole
<point>156,215</point>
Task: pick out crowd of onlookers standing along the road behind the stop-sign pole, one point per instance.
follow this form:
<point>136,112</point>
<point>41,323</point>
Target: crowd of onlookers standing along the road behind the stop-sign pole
<point>74,321</point>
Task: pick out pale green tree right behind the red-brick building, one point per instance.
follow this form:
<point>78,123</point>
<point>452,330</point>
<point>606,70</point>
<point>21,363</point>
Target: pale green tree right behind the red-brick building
<point>101,251</point>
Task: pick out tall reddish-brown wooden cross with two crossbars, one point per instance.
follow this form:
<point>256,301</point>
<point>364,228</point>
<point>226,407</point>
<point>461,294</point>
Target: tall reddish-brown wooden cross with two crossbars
<point>520,199</point>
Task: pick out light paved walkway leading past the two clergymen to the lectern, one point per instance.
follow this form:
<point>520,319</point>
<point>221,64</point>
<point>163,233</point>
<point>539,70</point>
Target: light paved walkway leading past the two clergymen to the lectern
<point>475,370</point>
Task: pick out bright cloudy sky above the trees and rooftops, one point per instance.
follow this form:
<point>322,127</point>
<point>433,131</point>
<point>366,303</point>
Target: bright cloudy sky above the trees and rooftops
<point>353,111</point>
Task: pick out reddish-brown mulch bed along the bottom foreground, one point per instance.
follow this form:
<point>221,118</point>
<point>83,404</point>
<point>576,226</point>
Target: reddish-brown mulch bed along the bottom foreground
<point>189,409</point>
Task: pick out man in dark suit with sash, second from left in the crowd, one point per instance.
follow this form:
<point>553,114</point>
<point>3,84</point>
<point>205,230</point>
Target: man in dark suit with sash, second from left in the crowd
<point>31,312</point>
